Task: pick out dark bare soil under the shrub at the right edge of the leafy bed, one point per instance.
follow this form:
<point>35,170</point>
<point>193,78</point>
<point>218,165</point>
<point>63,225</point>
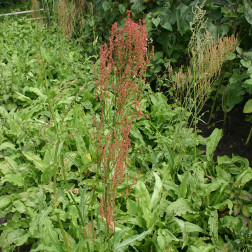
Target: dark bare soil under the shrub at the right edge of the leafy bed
<point>235,133</point>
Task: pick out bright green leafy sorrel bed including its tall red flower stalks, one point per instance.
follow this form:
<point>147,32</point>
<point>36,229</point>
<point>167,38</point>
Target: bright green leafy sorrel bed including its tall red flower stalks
<point>91,159</point>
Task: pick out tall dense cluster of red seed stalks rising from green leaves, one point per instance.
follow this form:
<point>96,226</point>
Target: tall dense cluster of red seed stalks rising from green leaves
<point>123,63</point>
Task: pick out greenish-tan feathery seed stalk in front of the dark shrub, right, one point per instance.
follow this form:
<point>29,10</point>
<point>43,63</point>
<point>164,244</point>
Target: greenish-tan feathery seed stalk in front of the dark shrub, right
<point>193,87</point>
